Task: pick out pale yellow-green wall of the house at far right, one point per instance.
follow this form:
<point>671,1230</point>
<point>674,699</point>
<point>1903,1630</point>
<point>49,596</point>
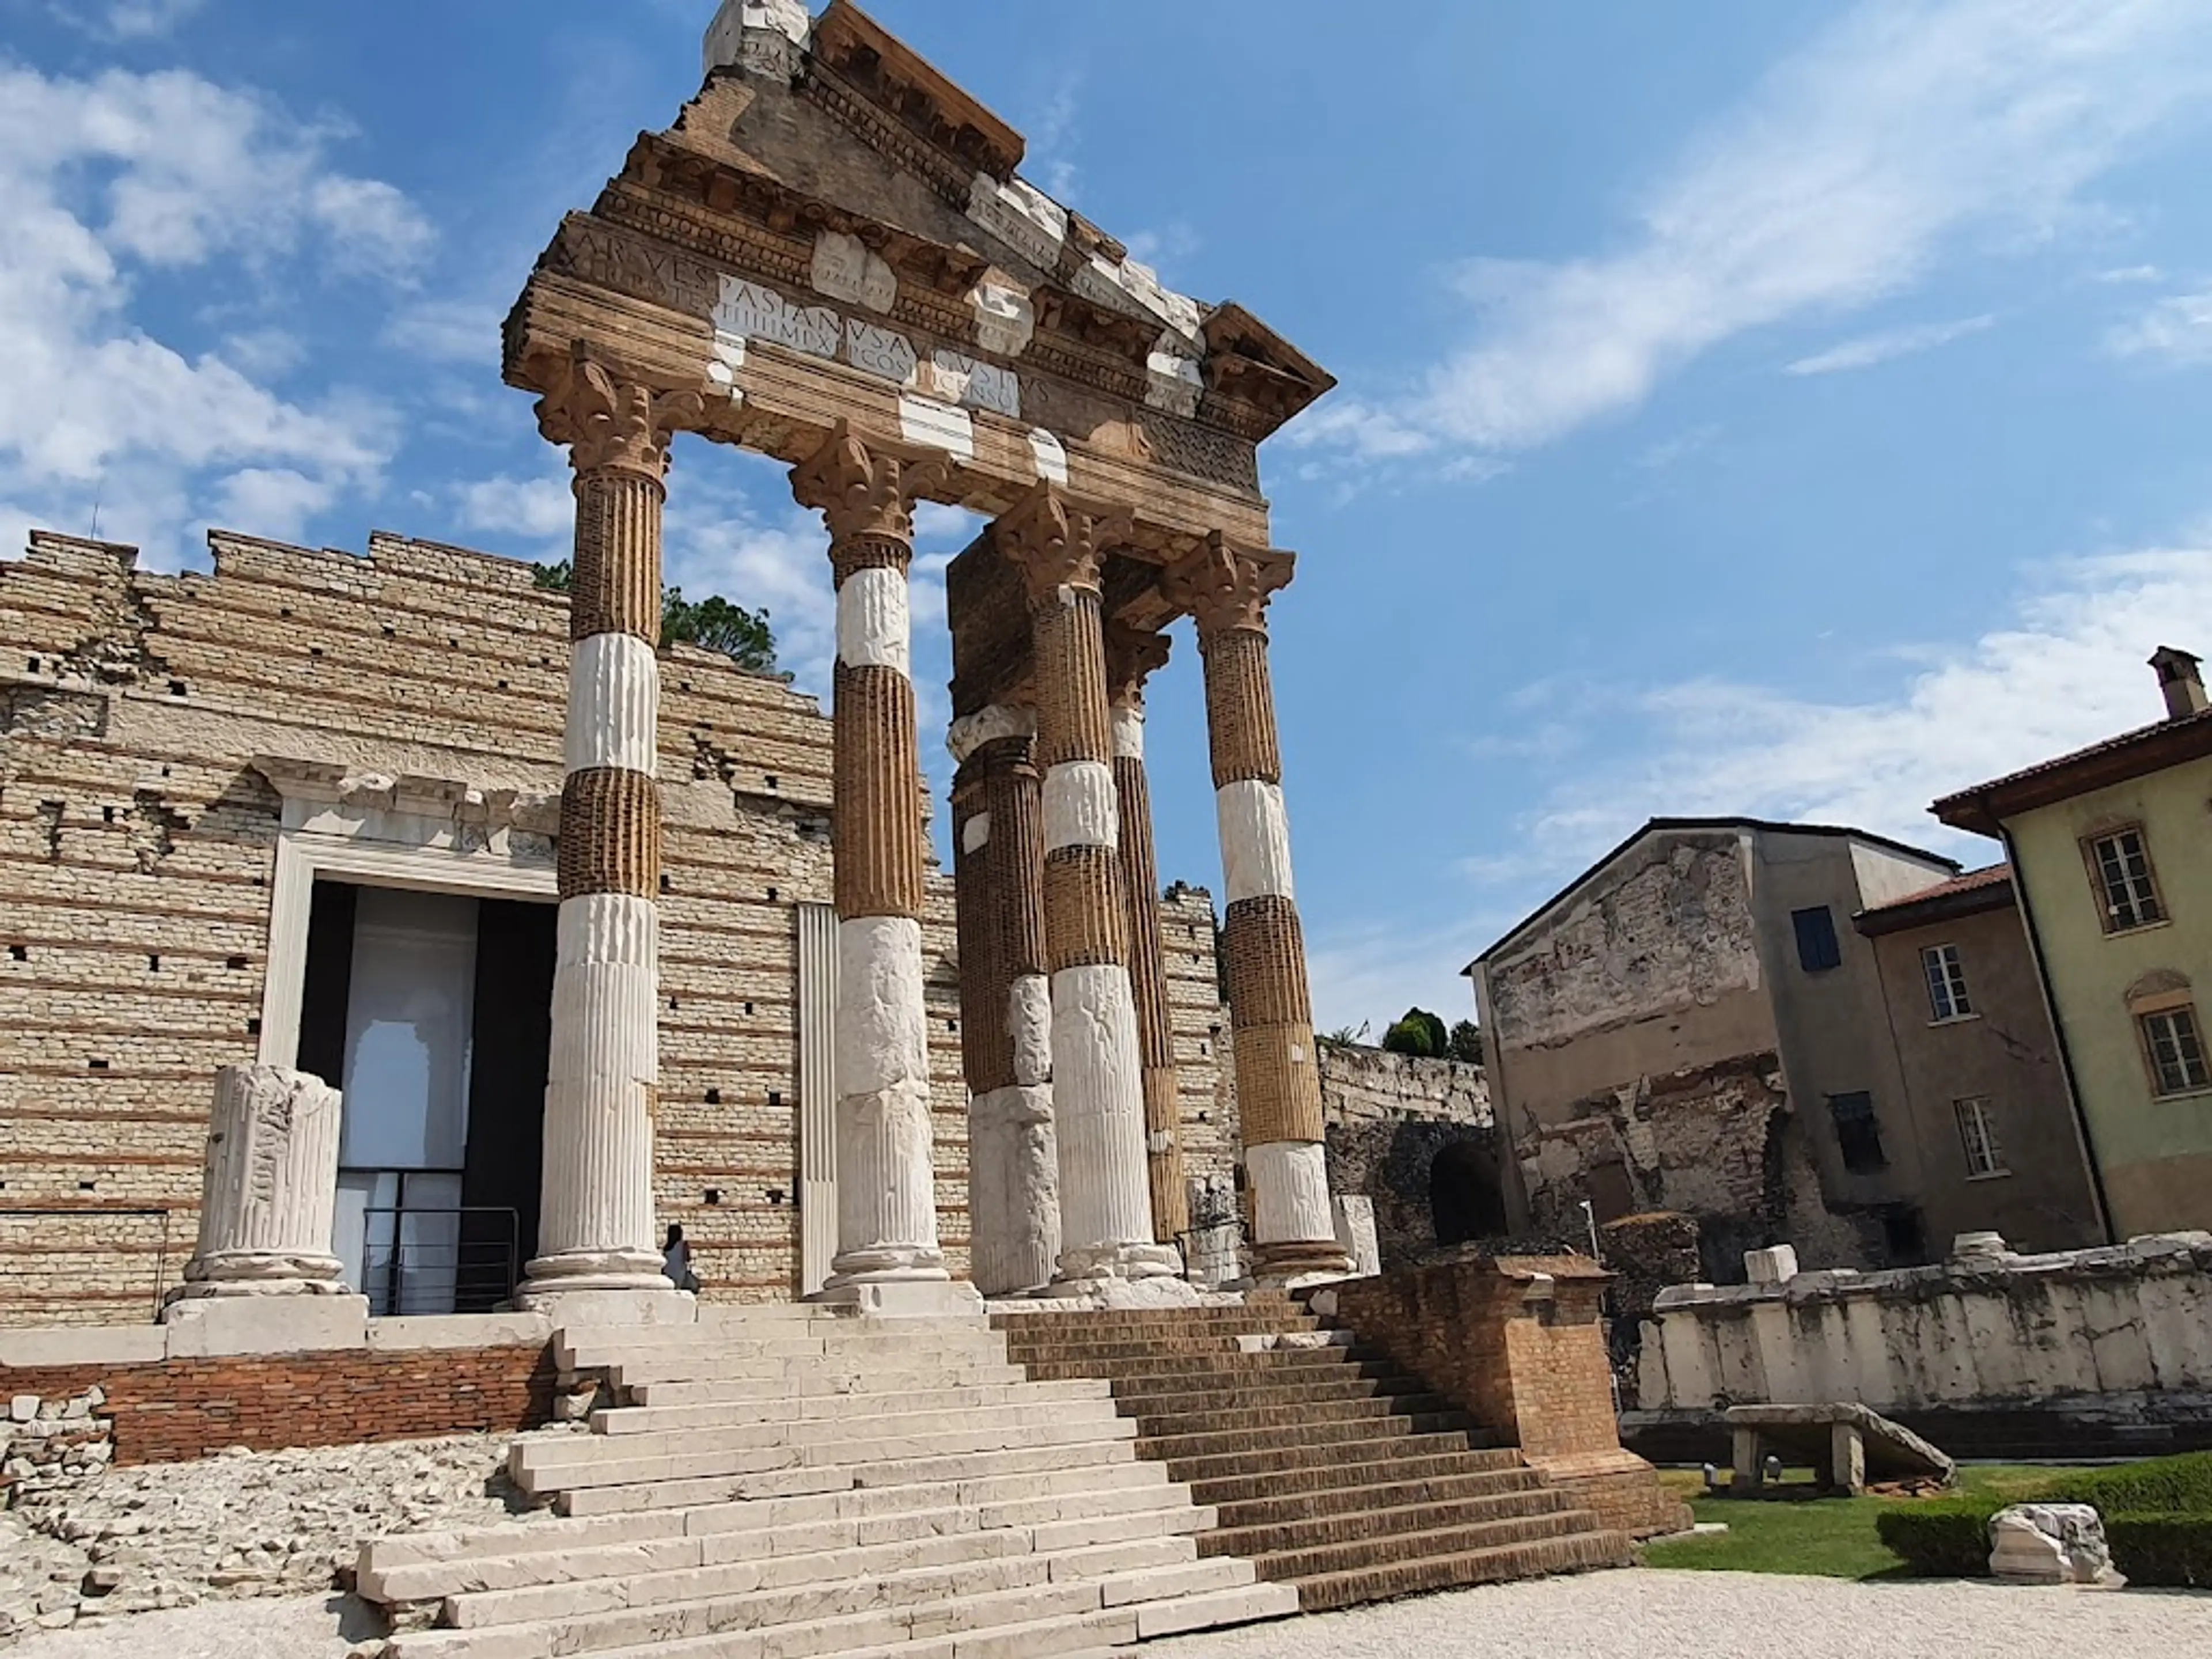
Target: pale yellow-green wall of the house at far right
<point>2156,1154</point>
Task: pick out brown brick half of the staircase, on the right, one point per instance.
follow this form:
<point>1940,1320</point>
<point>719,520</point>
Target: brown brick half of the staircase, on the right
<point>1328,1470</point>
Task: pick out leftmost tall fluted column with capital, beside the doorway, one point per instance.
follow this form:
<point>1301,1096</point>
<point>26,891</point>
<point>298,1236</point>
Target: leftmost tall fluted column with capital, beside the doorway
<point>596,1213</point>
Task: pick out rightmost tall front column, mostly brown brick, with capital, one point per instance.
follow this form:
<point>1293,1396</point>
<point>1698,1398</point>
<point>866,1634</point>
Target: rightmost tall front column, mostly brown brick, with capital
<point>1271,1008</point>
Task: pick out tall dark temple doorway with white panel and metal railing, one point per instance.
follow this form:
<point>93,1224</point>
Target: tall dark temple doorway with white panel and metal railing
<point>432,1012</point>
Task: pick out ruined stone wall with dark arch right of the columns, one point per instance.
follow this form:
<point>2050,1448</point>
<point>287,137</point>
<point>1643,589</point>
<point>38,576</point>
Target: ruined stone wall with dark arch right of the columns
<point>1390,1120</point>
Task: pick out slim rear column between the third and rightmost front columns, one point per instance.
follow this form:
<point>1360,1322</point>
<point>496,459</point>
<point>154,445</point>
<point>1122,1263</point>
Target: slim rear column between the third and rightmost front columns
<point>1131,658</point>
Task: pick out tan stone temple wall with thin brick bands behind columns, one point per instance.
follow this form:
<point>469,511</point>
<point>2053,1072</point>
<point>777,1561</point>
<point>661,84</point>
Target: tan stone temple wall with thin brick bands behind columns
<point>138,848</point>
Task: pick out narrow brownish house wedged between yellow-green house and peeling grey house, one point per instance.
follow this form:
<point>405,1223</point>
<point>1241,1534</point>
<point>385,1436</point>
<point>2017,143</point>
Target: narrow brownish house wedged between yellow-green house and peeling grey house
<point>1985,1092</point>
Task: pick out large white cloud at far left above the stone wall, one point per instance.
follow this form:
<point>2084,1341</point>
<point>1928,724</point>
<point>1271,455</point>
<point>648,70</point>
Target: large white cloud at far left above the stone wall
<point>107,182</point>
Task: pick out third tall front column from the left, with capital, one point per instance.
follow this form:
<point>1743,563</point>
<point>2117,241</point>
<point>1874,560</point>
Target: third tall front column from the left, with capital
<point>1098,1070</point>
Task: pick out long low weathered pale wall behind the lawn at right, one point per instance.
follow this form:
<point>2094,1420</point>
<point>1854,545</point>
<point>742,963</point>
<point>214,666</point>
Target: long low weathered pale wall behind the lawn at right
<point>1985,1328</point>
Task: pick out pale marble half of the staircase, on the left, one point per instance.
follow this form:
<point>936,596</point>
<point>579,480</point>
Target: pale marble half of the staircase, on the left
<point>780,1483</point>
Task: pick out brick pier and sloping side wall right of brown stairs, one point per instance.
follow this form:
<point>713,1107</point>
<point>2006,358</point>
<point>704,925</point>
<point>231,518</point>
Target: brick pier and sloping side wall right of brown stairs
<point>1521,1344</point>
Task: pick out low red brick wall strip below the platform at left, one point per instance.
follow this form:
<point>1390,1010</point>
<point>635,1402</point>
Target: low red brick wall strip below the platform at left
<point>185,1410</point>
